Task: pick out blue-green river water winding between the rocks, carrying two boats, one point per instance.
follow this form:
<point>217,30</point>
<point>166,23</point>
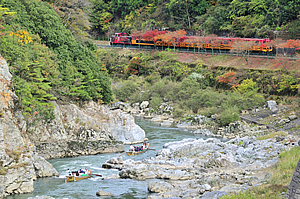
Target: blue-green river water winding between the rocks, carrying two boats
<point>121,188</point>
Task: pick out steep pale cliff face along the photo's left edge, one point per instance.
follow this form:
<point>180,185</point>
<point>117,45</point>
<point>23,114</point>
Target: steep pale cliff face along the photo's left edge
<point>19,164</point>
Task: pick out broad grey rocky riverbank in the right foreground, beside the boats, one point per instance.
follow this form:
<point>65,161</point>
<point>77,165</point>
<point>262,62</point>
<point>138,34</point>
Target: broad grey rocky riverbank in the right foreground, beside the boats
<point>193,168</point>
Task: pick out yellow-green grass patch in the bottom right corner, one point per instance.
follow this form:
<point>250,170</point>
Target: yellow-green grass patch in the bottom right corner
<point>279,182</point>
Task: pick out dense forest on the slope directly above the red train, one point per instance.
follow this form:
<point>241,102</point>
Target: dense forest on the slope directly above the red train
<point>240,18</point>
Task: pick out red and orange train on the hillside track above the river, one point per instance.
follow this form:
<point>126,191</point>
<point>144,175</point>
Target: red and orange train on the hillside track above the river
<point>211,43</point>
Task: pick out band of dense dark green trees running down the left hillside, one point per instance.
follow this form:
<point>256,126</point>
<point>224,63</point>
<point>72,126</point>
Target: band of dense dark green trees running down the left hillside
<point>75,57</point>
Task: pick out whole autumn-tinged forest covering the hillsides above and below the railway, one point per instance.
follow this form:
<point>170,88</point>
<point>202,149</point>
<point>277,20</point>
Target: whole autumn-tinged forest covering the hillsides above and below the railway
<point>49,47</point>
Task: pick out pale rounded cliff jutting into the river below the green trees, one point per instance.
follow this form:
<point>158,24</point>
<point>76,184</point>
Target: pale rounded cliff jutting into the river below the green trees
<point>88,130</point>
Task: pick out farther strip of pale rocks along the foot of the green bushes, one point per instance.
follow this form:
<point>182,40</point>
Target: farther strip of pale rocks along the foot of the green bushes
<point>255,122</point>
